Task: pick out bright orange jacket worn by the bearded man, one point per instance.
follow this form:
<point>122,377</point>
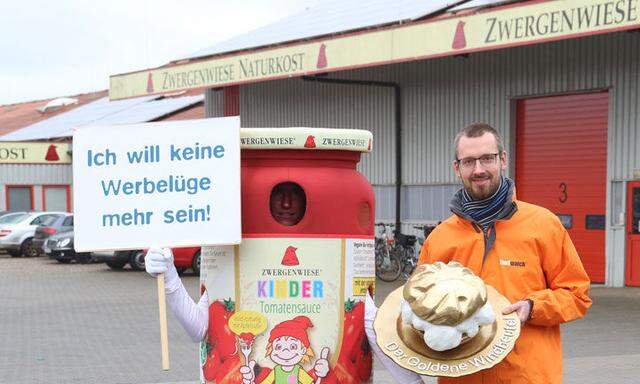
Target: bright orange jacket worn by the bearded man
<point>532,258</point>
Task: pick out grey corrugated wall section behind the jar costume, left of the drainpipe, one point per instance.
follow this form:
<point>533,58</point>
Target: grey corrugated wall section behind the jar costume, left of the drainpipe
<point>297,103</point>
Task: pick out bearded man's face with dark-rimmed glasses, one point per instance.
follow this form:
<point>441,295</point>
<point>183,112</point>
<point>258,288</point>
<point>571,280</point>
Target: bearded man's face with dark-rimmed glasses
<point>479,165</point>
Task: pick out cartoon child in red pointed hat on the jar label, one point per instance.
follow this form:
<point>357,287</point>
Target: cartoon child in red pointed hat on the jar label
<point>289,349</point>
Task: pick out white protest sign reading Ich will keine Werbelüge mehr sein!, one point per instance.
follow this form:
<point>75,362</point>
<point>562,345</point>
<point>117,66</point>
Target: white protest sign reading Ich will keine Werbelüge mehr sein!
<point>164,184</point>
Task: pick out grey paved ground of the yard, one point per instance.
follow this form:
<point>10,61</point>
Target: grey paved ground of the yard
<point>89,324</point>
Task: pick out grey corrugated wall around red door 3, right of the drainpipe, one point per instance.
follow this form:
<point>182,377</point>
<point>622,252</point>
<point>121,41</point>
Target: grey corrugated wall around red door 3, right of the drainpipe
<point>443,95</point>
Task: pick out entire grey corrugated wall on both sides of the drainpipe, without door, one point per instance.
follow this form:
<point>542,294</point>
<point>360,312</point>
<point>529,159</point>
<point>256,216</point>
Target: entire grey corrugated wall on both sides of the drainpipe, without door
<point>441,96</point>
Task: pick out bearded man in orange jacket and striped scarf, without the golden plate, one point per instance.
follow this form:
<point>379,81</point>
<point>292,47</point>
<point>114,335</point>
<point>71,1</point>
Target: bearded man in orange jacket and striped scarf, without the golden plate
<point>520,249</point>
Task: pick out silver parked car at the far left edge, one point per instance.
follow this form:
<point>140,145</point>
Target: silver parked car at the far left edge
<point>17,231</point>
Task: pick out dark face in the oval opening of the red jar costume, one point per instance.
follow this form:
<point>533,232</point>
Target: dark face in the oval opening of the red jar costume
<point>287,203</point>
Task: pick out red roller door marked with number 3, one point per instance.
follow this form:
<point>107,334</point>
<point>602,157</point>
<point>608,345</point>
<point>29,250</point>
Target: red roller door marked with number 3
<point>561,162</point>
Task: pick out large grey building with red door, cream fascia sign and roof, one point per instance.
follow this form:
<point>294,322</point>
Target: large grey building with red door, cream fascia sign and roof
<point>558,79</point>
